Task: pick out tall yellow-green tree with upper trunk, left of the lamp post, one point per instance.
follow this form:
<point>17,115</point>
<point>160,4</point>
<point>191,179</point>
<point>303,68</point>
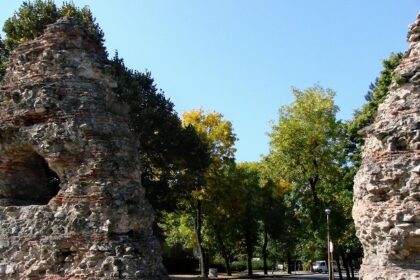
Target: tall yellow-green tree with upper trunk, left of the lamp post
<point>305,146</point>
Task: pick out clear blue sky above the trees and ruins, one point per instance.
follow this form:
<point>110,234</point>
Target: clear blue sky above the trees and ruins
<point>241,57</point>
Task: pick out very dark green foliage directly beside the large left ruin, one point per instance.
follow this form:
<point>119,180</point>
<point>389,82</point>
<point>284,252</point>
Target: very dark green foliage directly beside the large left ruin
<point>174,157</point>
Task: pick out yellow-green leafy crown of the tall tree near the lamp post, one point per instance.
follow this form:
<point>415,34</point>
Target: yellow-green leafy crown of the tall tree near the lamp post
<point>303,143</point>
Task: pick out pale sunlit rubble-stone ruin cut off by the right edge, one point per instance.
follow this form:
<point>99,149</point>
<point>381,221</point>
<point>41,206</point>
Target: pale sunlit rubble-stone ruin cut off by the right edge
<point>387,187</point>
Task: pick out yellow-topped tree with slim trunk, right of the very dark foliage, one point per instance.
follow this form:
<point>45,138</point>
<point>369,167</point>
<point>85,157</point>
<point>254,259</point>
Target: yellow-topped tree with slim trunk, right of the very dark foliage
<point>203,181</point>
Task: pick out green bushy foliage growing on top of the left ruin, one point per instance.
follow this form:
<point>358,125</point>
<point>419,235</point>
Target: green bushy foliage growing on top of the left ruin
<point>31,19</point>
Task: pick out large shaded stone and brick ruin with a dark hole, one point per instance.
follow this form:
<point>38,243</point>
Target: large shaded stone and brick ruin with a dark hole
<point>71,201</point>
